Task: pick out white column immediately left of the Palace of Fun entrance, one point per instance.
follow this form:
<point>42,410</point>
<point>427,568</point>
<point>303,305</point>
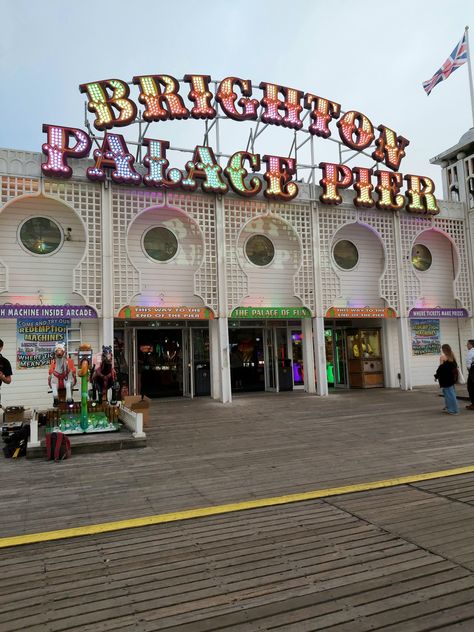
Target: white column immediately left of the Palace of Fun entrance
<point>220,328</point>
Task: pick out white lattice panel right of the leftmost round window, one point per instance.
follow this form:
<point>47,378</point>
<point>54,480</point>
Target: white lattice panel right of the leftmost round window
<point>86,201</point>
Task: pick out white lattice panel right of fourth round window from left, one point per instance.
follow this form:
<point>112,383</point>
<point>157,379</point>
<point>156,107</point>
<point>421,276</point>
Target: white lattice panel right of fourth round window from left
<point>383,224</point>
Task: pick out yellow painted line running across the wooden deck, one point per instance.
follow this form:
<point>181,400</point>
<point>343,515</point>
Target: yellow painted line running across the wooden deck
<point>202,512</point>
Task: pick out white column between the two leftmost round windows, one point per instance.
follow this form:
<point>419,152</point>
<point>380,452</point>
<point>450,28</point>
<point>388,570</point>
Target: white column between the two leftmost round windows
<point>106,335</point>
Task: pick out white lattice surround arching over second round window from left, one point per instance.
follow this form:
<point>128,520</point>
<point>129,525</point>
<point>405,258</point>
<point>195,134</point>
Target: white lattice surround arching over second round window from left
<point>127,204</point>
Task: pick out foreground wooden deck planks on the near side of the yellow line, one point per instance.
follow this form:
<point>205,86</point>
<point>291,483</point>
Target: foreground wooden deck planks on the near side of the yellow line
<point>318,565</point>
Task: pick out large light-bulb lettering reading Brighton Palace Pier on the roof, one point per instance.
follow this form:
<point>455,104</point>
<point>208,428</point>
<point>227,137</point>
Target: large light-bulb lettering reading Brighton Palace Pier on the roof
<point>113,107</point>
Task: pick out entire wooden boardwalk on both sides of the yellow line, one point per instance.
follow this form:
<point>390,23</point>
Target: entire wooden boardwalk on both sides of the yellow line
<point>398,559</point>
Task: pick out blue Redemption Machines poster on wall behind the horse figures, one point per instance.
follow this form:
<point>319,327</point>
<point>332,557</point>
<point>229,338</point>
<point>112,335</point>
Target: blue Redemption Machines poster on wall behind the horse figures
<point>36,340</point>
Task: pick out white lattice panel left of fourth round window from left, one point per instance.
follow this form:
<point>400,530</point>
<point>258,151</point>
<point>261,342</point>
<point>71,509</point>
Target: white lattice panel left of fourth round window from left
<point>330,221</point>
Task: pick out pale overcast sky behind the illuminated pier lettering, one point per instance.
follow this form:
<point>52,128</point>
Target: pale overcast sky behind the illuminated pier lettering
<point>370,55</point>
